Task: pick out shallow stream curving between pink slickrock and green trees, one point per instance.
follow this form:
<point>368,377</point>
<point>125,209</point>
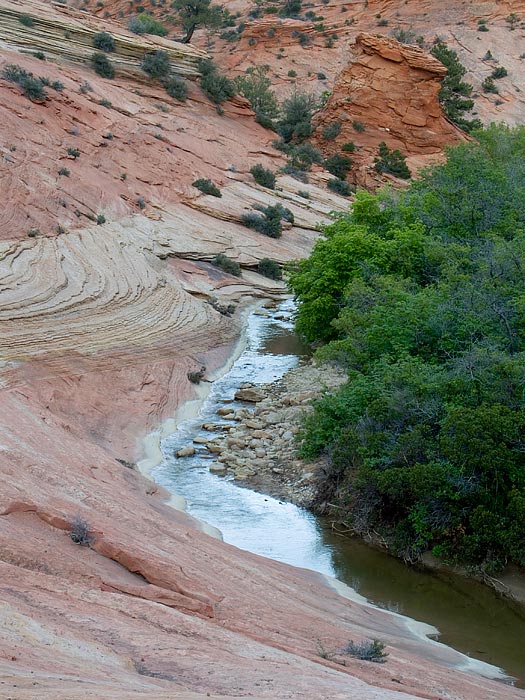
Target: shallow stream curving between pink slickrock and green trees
<point>469,616</point>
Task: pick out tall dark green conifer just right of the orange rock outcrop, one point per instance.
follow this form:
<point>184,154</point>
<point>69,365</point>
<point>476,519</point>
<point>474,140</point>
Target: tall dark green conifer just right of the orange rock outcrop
<point>454,95</point>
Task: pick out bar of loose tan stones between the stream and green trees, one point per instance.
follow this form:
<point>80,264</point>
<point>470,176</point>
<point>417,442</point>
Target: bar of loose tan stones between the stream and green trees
<point>257,443</point>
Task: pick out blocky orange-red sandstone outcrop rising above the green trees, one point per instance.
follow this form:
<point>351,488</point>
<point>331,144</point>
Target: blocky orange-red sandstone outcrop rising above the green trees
<point>388,92</point>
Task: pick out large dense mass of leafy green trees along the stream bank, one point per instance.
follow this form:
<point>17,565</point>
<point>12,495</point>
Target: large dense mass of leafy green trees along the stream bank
<point>419,294</point>
